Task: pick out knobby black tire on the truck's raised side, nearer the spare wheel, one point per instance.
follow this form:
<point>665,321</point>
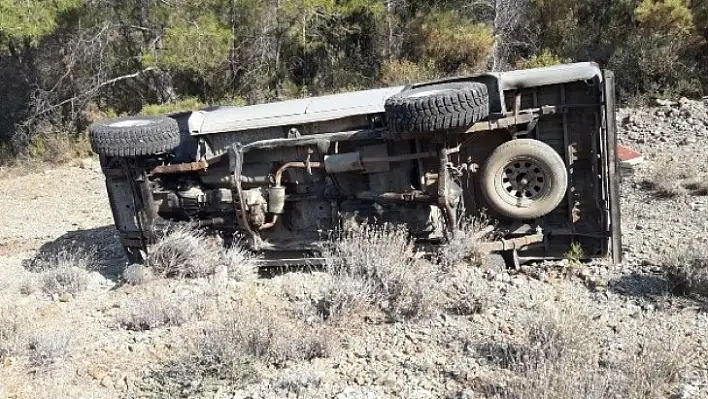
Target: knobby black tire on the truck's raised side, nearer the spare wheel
<point>438,107</point>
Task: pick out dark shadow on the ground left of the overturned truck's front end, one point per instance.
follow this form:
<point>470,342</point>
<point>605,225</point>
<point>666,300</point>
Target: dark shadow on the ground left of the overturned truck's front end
<point>102,244</point>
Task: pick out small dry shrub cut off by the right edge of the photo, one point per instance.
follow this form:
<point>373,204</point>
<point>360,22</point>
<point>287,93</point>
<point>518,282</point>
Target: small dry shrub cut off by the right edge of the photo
<point>687,269</point>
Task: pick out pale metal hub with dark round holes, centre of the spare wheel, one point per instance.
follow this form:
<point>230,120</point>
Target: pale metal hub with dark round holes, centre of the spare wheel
<point>523,180</point>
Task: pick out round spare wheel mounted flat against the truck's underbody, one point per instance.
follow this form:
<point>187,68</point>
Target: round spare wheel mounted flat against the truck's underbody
<point>524,179</point>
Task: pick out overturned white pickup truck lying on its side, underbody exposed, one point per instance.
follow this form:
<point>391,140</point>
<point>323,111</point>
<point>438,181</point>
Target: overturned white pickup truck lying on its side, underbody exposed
<point>532,149</point>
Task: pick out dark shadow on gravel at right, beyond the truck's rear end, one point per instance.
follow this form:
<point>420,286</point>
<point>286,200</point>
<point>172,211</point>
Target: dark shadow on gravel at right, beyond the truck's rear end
<point>657,289</point>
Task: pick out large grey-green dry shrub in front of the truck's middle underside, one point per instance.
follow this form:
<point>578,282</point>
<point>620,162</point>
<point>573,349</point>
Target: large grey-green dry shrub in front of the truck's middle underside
<point>379,266</point>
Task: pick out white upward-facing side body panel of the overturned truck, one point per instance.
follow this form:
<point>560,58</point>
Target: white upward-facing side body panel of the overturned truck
<point>336,106</point>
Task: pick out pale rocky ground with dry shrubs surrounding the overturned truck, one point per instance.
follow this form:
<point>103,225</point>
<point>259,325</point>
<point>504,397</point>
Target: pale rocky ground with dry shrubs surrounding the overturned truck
<point>552,330</point>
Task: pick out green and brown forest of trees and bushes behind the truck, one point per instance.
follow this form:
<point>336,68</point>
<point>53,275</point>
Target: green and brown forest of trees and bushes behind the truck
<point>67,63</point>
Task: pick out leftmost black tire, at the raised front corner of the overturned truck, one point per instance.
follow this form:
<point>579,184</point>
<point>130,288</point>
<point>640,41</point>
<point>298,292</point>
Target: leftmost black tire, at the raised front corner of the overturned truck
<point>135,136</point>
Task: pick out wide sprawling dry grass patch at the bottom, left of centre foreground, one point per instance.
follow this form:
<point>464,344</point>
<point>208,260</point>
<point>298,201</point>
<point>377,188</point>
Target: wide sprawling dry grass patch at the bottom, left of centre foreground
<point>230,350</point>
